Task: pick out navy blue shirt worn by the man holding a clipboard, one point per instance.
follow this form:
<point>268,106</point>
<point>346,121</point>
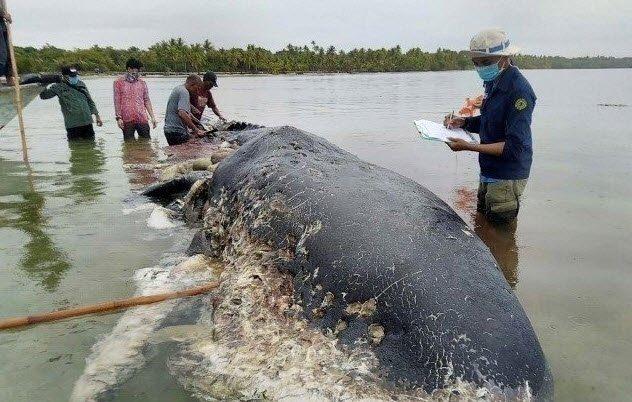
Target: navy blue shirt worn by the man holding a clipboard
<point>506,116</point>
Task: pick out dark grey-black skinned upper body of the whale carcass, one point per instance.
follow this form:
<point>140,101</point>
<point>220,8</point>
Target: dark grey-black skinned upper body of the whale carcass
<point>376,259</point>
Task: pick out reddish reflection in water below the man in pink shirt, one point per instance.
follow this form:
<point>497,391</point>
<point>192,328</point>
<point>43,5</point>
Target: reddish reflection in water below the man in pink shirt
<point>139,159</point>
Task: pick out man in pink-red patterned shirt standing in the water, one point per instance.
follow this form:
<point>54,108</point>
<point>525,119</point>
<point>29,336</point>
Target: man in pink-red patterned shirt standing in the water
<point>132,104</point>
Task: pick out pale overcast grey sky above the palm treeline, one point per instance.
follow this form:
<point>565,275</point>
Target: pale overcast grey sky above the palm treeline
<point>551,27</point>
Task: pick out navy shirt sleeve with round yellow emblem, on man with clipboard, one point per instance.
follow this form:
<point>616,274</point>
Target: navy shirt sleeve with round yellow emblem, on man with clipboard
<point>518,125</point>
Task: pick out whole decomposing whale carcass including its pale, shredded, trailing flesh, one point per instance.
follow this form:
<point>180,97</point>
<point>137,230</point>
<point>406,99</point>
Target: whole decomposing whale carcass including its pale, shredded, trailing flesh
<point>339,280</point>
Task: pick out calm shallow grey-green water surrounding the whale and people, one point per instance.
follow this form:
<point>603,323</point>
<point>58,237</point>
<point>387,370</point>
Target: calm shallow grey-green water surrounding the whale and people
<point>65,239</point>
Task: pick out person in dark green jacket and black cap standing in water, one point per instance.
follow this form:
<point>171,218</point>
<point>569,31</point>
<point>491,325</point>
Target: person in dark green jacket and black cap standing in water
<point>76,104</point>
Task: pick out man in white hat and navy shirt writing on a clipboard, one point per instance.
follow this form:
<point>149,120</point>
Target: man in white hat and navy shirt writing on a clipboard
<point>504,126</point>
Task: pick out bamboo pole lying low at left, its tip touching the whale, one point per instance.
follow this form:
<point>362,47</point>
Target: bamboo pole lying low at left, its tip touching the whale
<point>103,307</point>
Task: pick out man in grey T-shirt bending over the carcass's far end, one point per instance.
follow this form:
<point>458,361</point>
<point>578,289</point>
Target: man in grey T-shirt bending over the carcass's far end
<point>178,118</point>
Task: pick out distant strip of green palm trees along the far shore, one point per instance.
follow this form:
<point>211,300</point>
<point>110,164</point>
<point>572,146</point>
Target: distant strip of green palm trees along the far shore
<point>175,55</point>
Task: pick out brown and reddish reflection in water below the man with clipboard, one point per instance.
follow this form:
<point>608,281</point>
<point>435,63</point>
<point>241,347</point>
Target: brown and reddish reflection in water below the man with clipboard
<point>500,238</point>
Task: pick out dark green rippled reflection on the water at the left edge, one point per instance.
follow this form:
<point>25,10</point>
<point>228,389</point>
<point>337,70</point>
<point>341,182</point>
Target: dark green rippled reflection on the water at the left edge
<point>23,210</point>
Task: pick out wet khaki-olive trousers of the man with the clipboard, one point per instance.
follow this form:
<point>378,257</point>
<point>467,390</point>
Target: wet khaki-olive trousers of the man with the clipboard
<point>500,201</point>
